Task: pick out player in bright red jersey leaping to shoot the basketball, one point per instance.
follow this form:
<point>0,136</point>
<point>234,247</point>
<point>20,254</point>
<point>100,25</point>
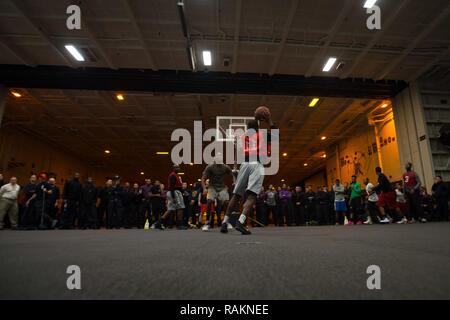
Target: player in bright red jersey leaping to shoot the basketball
<point>251,173</point>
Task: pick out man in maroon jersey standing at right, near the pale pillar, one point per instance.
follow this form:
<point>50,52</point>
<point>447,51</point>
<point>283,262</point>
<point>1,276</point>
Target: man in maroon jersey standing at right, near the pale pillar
<point>411,182</point>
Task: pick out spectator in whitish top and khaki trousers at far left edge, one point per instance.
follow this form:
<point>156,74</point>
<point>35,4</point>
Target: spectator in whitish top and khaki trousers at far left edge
<point>8,203</point>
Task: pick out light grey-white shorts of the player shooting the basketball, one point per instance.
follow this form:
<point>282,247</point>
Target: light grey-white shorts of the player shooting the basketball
<point>250,178</point>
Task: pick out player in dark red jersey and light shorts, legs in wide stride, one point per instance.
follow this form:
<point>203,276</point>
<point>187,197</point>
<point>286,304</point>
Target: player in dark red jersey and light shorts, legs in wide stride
<point>175,202</point>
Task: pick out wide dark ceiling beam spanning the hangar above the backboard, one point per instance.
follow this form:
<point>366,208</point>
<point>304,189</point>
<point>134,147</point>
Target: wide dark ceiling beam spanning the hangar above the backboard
<point>56,77</point>
